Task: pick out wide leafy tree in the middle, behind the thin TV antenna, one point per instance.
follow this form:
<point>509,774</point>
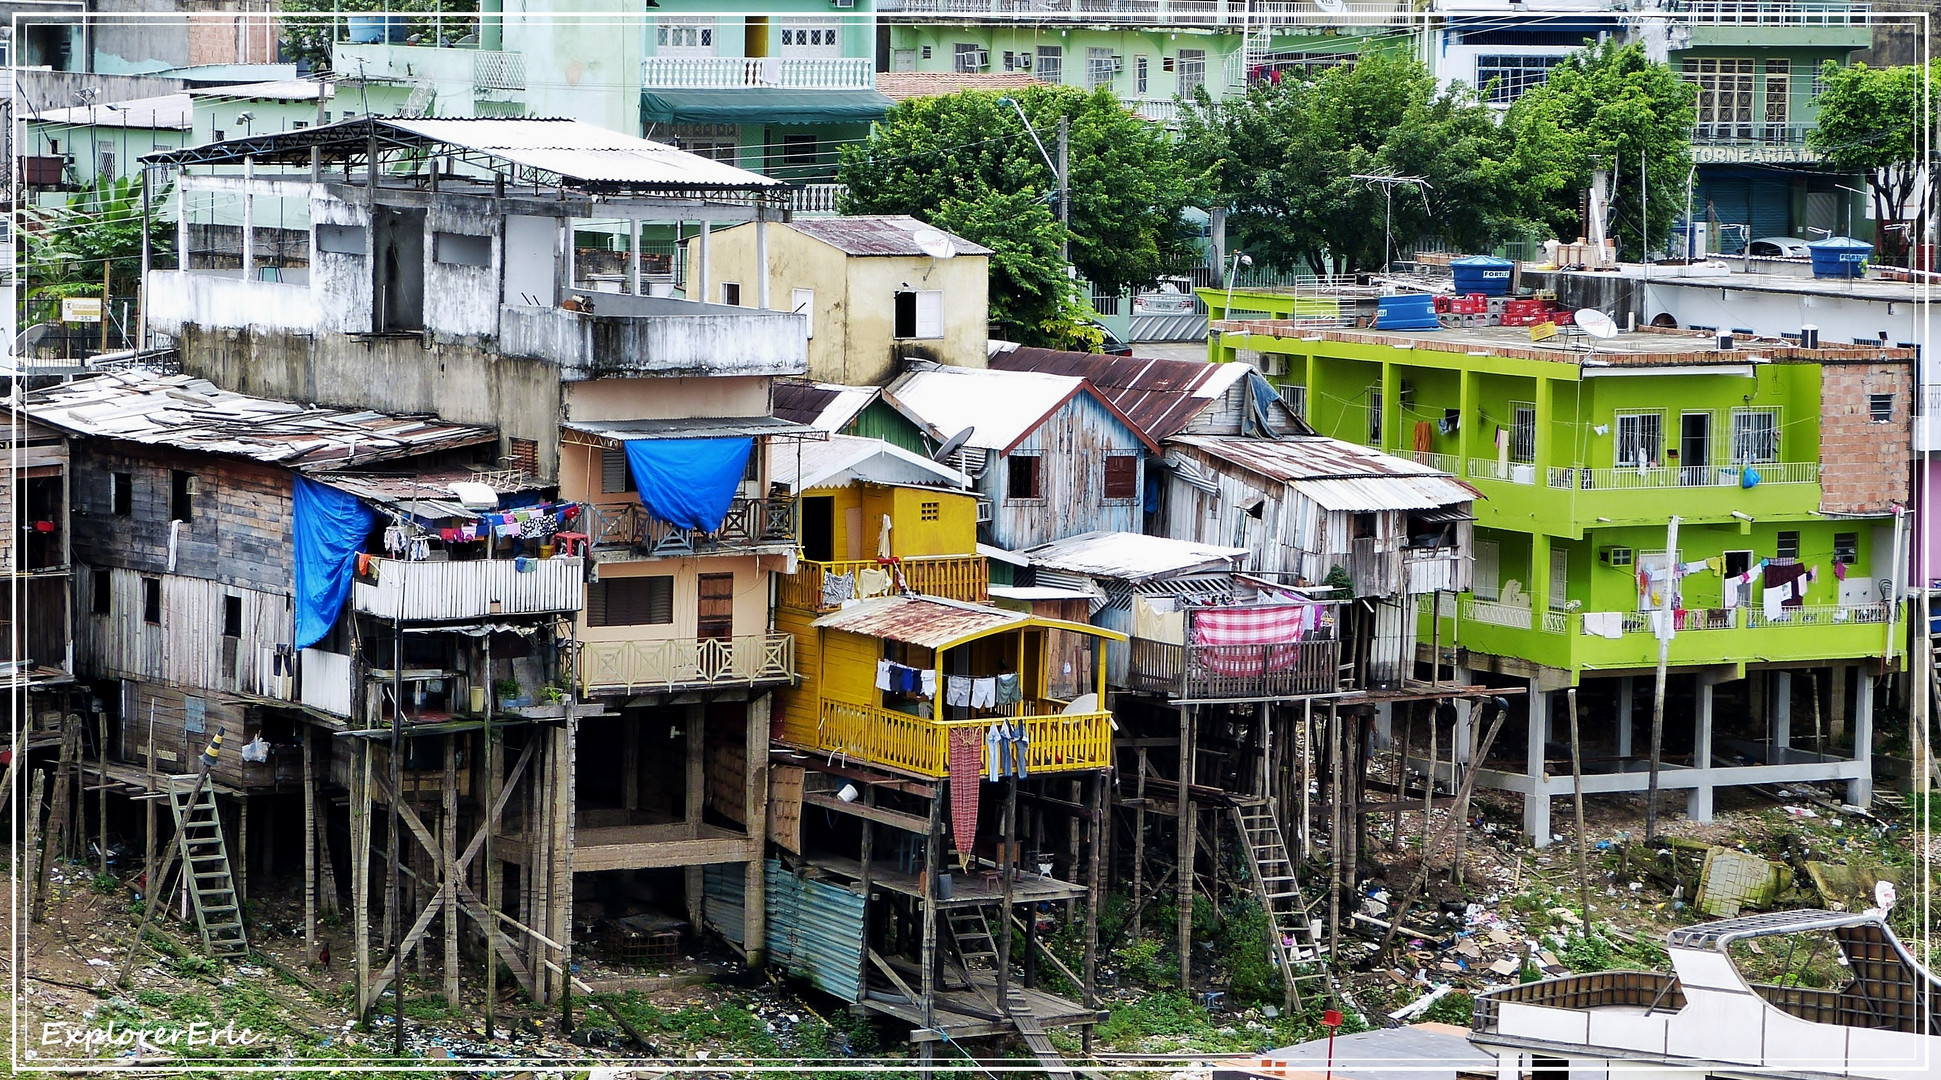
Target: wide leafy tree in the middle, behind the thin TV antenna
<point>1284,160</point>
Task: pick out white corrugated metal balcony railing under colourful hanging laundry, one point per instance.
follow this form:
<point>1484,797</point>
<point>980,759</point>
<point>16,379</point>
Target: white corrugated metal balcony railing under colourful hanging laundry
<point>445,591</point>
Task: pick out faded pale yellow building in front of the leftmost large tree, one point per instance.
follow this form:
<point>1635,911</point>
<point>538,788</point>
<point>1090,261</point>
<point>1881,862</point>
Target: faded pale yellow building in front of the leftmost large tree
<point>874,288</point>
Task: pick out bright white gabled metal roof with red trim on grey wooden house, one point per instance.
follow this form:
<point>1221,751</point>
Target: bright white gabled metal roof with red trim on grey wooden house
<point>999,407</point>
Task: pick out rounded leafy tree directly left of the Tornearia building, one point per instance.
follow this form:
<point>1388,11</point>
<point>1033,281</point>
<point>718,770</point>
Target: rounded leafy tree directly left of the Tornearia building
<point>1608,108</point>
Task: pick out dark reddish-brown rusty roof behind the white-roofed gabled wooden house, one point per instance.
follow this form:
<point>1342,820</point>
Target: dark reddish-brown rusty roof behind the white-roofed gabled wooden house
<point>1162,397</point>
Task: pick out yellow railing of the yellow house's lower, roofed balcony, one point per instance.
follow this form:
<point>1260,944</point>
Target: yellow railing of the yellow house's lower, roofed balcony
<point>915,745</point>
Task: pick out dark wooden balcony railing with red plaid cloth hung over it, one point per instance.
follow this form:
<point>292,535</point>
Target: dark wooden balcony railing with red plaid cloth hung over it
<point>1201,673</point>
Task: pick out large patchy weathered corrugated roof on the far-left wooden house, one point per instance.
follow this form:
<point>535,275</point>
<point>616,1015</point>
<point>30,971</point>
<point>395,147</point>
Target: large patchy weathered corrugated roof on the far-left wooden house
<point>193,415</point>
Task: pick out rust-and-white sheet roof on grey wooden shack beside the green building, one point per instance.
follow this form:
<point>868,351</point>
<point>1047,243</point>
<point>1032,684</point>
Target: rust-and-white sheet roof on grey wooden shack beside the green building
<point>1340,477</point>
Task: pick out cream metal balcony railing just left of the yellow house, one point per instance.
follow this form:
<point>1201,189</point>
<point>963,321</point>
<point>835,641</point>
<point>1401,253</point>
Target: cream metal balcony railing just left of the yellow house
<point>628,667</point>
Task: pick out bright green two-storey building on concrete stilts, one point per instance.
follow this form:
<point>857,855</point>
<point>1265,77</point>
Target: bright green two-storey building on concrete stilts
<point>1583,457</point>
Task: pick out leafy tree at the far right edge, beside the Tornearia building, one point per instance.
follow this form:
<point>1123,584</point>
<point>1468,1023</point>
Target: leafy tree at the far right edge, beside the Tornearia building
<point>1872,123</point>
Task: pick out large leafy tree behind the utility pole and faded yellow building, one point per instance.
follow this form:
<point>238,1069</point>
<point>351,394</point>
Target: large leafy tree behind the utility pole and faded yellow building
<point>966,162</point>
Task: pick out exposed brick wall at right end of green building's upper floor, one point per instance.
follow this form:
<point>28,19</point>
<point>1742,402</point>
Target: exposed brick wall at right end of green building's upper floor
<point>1864,465</point>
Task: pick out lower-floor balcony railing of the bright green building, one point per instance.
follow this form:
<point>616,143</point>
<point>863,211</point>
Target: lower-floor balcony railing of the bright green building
<point>1612,642</point>
